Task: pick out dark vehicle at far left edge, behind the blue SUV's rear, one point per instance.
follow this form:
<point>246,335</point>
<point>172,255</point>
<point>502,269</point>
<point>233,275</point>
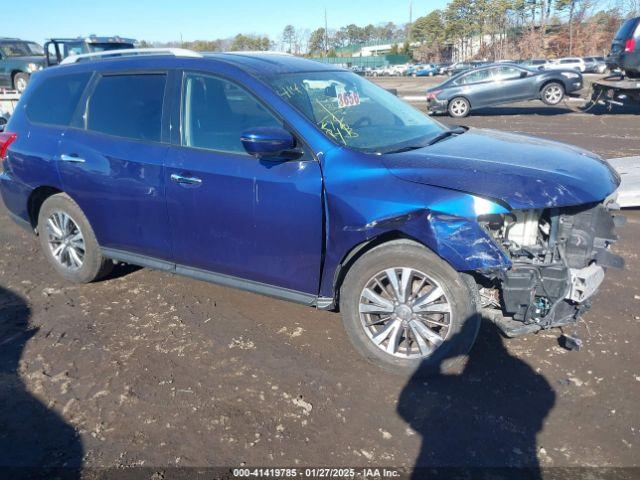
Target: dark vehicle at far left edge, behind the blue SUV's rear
<point>18,60</point>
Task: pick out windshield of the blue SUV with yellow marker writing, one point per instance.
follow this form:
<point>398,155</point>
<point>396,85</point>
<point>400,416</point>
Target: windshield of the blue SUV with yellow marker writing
<point>356,113</point>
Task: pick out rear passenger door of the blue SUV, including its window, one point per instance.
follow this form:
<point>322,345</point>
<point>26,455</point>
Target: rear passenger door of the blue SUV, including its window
<point>112,164</point>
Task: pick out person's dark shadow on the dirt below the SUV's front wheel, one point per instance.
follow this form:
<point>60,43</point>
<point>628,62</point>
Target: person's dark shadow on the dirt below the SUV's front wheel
<point>487,417</point>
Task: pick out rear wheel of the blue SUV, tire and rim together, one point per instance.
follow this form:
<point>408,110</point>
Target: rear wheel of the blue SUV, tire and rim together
<point>68,242</point>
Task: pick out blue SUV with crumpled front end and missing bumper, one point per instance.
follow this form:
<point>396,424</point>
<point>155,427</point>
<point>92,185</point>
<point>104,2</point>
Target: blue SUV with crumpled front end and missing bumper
<point>301,181</point>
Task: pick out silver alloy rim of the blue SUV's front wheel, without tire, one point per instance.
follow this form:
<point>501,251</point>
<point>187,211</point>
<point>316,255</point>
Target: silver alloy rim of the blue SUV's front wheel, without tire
<point>405,313</point>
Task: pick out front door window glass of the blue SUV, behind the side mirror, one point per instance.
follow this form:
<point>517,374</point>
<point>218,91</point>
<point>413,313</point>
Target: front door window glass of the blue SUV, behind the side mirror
<point>215,112</point>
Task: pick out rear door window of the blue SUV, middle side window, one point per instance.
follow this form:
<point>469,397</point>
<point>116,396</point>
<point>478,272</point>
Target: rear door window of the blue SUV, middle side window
<point>128,106</point>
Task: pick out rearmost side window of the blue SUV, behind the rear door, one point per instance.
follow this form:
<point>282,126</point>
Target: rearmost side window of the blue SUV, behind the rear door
<point>55,99</point>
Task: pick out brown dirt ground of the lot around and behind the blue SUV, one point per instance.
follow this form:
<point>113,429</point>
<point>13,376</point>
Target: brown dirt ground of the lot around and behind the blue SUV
<point>150,369</point>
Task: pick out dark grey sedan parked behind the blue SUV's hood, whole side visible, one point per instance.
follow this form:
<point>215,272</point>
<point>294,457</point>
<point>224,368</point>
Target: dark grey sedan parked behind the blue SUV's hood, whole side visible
<point>500,83</point>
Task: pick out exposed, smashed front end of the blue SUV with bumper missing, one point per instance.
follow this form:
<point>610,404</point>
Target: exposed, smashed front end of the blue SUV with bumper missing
<point>558,255</point>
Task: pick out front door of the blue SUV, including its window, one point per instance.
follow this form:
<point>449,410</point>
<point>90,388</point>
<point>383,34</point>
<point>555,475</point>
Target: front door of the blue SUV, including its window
<point>234,214</point>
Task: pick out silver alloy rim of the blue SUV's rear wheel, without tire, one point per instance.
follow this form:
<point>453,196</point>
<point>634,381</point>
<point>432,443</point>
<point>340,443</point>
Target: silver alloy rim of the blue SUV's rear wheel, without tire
<point>65,240</point>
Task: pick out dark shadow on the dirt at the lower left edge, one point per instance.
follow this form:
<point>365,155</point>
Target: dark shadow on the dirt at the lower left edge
<point>35,442</point>
